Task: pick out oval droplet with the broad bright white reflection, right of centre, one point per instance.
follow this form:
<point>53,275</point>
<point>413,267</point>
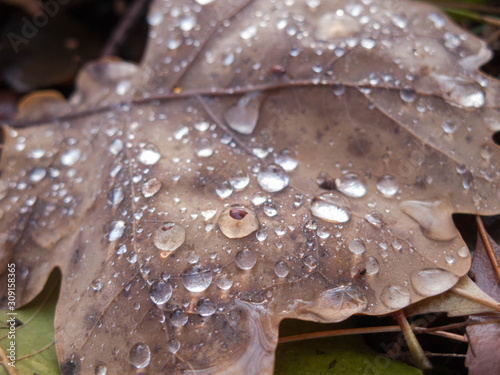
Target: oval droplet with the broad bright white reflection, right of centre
<point>331,207</point>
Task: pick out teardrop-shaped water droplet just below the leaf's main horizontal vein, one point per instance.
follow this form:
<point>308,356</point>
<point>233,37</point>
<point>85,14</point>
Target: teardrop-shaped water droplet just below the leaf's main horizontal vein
<point>243,116</point>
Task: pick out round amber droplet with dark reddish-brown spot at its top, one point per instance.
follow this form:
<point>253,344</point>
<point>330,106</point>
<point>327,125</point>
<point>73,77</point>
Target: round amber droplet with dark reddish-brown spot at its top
<point>238,221</point>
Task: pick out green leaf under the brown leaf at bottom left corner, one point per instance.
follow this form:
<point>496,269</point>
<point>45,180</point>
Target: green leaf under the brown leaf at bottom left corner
<point>34,336</point>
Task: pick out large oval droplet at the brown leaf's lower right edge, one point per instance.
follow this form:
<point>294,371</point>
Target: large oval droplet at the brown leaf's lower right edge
<point>430,282</point>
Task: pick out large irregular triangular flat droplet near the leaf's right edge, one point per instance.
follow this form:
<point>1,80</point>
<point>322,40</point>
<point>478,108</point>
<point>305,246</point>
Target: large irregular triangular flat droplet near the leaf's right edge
<point>434,218</point>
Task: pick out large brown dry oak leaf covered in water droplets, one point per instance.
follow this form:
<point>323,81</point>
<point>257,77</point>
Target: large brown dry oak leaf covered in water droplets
<point>181,197</point>
